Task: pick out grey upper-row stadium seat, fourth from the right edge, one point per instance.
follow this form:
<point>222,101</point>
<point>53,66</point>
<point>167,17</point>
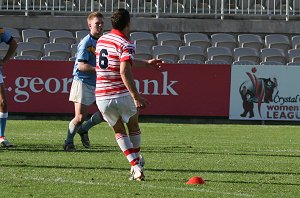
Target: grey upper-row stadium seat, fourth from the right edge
<point>223,40</point>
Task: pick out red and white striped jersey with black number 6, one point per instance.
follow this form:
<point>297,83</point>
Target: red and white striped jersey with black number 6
<point>112,49</point>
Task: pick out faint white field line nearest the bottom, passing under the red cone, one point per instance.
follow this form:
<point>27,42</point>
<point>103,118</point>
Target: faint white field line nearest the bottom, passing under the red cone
<point>61,180</point>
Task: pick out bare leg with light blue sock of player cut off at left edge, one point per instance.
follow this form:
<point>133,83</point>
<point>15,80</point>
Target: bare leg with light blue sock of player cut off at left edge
<point>3,116</point>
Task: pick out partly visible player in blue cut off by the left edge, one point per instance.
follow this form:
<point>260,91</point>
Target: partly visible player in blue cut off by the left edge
<point>8,39</point>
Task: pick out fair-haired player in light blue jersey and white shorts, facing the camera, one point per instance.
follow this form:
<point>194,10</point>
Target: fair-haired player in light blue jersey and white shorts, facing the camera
<point>82,92</point>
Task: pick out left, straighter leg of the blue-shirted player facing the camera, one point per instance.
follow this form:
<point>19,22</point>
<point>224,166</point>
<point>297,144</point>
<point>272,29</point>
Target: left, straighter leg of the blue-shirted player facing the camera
<point>81,111</point>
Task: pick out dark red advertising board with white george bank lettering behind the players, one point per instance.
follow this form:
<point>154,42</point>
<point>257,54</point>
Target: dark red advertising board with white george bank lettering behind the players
<point>175,89</point>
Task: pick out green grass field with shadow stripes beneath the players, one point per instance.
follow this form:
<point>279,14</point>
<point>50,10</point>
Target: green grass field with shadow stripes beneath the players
<point>235,161</point>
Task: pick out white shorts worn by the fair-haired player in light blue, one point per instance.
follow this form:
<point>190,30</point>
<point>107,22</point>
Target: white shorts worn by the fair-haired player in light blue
<point>82,93</point>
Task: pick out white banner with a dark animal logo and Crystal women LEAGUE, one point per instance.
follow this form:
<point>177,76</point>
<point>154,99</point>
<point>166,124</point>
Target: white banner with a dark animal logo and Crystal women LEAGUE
<point>265,92</point>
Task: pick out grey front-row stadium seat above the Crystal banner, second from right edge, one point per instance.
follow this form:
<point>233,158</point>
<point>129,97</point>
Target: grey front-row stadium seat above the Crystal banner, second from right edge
<point>273,54</point>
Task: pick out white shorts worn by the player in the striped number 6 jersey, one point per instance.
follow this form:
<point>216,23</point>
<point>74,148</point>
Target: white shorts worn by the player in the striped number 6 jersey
<point>116,108</point>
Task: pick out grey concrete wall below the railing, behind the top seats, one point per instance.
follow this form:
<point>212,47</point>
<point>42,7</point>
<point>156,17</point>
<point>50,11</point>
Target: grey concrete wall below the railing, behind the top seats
<point>179,25</point>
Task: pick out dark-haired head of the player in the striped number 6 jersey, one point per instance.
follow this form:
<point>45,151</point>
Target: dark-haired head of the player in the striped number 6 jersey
<point>120,19</point>
